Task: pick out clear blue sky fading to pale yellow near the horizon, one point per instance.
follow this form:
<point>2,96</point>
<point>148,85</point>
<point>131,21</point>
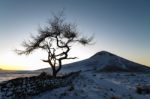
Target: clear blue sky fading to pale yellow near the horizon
<point>119,26</point>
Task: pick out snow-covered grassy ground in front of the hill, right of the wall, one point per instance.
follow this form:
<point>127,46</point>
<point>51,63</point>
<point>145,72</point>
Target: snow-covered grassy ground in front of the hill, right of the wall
<point>95,85</point>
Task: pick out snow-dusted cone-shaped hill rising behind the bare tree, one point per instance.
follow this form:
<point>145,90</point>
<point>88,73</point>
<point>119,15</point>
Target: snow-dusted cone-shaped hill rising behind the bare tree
<point>104,61</point>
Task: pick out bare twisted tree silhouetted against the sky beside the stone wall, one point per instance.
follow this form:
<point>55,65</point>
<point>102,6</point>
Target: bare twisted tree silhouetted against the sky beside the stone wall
<point>56,39</point>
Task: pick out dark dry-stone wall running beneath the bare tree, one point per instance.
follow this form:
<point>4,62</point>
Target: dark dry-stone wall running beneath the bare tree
<point>20,88</point>
